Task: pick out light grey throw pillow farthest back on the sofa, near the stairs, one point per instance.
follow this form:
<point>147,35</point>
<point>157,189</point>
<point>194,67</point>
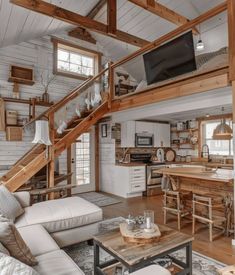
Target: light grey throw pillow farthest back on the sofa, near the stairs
<point>9,206</point>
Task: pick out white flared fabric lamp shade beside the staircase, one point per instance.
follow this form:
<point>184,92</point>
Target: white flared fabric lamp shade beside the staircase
<point>42,133</point>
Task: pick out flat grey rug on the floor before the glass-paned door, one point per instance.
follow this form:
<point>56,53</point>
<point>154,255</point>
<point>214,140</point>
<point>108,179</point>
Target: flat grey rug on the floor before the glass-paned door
<point>99,199</point>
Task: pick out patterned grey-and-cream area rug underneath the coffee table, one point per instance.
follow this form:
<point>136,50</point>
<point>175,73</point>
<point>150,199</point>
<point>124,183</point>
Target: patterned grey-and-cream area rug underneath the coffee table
<point>82,254</point>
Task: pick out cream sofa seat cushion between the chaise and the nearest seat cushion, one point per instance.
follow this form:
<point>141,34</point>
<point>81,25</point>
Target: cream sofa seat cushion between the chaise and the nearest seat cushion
<point>38,239</point>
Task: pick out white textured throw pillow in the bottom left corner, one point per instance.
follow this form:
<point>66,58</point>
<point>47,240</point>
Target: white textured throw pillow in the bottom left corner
<point>9,265</point>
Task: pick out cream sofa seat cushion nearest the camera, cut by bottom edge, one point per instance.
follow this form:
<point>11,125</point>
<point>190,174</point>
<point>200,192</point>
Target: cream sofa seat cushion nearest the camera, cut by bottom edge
<point>57,263</point>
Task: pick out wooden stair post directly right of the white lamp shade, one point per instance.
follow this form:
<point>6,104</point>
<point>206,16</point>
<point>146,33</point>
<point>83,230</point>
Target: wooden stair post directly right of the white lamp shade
<point>51,156</point>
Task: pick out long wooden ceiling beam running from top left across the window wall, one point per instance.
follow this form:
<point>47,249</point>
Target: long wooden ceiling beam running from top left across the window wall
<point>78,20</point>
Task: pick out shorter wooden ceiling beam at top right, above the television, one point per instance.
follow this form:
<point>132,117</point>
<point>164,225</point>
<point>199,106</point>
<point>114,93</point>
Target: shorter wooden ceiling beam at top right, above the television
<point>162,11</point>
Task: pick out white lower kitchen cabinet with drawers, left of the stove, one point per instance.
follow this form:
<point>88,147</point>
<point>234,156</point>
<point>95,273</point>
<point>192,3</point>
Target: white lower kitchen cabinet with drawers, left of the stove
<point>124,181</point>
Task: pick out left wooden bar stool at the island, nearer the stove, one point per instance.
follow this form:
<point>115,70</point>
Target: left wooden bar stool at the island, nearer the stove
<point>174,202</point>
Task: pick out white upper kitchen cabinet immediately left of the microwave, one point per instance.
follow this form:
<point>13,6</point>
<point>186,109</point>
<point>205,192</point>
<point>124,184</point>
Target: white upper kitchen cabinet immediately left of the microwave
<point>128,134</point>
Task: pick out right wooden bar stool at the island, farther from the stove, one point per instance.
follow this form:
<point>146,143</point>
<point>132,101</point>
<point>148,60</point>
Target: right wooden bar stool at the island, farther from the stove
<point>203,211</point>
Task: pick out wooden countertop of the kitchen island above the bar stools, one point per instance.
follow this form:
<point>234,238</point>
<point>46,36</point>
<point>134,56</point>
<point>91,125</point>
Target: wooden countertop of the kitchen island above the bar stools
<point>222,175</point>
